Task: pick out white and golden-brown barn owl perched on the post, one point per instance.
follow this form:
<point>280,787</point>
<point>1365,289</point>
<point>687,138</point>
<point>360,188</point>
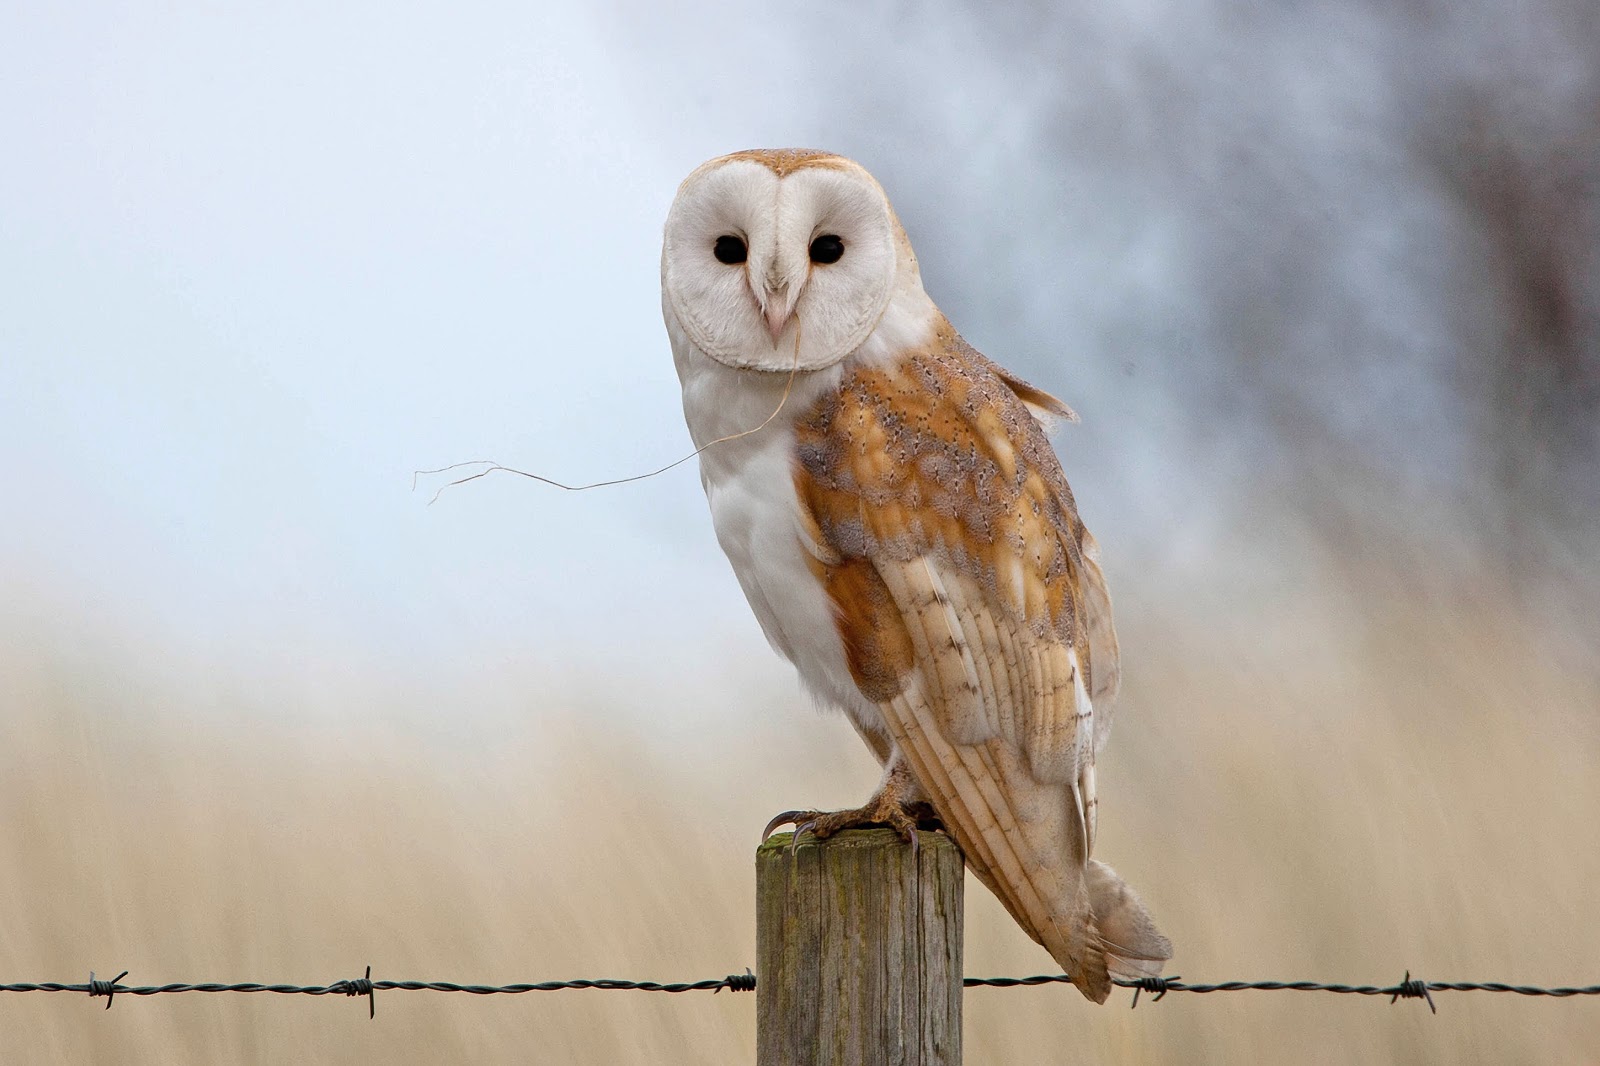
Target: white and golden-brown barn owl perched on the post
<point>905,535</point>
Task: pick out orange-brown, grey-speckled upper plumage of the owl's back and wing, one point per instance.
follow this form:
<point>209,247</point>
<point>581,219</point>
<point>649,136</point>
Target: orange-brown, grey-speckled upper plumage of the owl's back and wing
<point>940,455</point>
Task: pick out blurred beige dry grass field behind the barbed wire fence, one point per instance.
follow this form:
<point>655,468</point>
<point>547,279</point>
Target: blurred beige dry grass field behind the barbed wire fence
<point>1396,783</point>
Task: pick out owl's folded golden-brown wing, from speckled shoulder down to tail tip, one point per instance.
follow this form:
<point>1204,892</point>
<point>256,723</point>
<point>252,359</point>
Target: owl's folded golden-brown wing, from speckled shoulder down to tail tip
<point>974,612</point>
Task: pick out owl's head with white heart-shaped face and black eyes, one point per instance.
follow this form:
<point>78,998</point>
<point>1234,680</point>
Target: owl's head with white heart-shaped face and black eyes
<point>761,246</point>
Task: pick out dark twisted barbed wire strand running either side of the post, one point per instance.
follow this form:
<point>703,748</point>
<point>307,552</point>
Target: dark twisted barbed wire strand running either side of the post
<point>1409,988</point>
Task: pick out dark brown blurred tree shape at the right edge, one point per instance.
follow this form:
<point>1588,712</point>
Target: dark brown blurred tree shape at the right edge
<point>1530,186</point>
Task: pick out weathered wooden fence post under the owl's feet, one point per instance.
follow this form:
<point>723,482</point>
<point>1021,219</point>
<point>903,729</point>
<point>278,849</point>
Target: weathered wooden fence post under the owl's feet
<point>860,952</point>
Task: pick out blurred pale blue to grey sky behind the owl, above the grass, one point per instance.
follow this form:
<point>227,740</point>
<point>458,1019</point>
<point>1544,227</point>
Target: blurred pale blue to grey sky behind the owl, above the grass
<point>262,262</point>
